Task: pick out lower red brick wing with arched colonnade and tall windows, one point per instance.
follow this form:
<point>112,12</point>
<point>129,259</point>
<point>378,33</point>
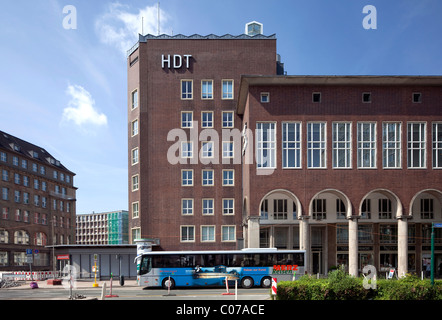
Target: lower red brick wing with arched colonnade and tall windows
<point>347,168</point>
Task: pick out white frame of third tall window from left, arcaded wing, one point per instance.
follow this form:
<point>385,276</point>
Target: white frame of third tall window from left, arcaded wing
<point>317,147</point>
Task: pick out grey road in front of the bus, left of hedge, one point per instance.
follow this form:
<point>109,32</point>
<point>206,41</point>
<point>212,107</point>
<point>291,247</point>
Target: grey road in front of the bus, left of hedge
<point>130,291</point>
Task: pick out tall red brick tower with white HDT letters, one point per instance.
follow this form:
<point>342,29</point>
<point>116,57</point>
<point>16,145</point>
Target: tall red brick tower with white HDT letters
<point>187,87</point>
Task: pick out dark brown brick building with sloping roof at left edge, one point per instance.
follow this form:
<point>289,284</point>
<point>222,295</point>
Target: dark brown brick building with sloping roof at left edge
<point>37,204</point>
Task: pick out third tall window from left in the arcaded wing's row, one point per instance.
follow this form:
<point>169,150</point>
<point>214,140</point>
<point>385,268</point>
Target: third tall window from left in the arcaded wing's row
<point>316,145</point>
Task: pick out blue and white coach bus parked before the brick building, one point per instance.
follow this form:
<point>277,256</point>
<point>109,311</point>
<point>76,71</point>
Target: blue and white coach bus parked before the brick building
<point>250,267</point>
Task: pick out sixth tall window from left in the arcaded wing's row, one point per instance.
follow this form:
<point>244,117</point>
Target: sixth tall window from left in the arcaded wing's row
<point>391,142</point>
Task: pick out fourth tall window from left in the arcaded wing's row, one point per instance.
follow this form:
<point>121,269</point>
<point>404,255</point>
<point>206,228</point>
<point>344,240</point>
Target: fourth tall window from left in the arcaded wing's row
<point>341,145</point>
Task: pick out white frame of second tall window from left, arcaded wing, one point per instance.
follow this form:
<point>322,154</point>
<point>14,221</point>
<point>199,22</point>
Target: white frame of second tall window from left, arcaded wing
<point>292,146</point>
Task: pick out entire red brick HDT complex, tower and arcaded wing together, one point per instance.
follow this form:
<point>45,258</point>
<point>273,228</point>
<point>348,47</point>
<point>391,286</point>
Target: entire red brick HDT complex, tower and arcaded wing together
<point>226,152</point>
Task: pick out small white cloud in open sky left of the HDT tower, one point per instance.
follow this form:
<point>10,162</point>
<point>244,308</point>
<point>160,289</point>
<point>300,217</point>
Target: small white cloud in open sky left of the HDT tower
<point>81,108</point>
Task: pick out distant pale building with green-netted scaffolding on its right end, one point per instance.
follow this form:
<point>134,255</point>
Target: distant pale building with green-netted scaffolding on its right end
<point>102,228</point>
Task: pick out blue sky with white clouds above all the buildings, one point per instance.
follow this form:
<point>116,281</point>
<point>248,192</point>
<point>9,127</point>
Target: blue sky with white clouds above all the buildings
<point>65,89</point>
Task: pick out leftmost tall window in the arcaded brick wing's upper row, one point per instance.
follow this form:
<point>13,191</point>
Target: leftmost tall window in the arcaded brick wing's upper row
<point>266,144</point>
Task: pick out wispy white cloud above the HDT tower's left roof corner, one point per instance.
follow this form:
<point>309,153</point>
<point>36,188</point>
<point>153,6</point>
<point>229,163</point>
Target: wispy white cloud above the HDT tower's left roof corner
<point>120,28</point>
